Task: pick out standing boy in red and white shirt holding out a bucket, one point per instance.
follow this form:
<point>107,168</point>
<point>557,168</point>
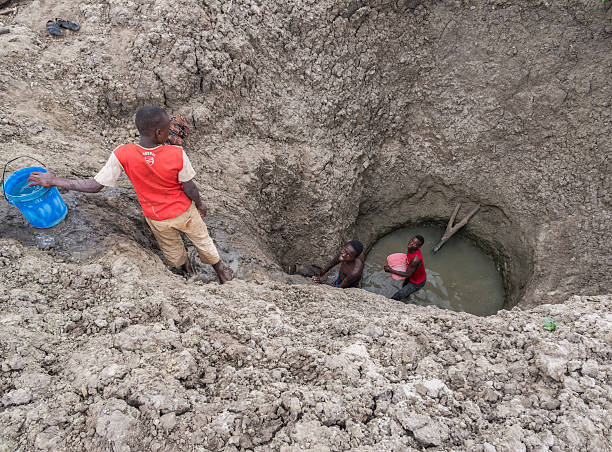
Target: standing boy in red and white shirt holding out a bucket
<point>162,177</point>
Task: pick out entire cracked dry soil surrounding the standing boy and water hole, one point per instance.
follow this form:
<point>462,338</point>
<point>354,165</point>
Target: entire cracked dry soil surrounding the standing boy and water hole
<point>314,122</point>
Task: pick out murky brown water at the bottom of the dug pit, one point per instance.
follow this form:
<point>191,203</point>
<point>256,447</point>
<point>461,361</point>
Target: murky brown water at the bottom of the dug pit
<point>461,277</point>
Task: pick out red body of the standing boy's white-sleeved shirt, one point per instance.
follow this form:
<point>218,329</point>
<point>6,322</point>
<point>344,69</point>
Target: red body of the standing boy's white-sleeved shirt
<point>154,175</point>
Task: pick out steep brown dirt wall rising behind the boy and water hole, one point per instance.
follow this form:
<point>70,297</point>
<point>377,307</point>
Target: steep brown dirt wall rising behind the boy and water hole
<point>319,121</point>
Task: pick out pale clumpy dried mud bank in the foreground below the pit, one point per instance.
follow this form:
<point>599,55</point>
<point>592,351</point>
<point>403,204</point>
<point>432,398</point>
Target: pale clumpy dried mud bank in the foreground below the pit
<point>121,355</point>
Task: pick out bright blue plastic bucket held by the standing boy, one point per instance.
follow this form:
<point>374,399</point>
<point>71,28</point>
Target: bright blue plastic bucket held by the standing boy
<point>43,207</point>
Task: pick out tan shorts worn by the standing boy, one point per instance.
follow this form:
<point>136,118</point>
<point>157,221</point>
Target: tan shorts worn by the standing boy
<point>169,238</point>
